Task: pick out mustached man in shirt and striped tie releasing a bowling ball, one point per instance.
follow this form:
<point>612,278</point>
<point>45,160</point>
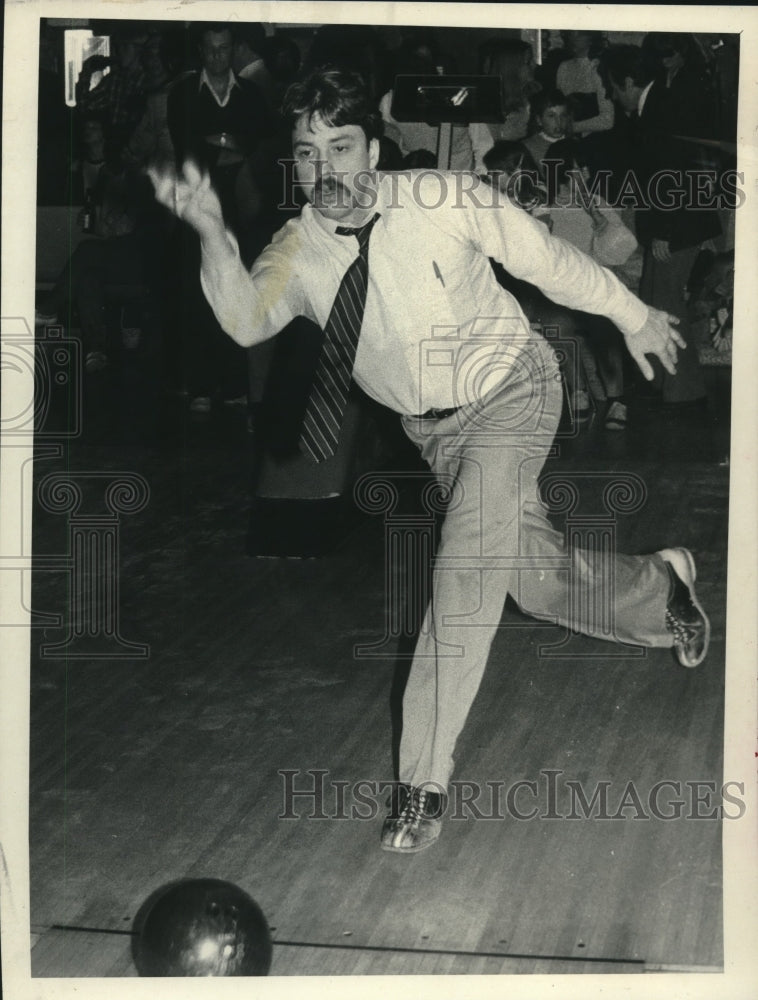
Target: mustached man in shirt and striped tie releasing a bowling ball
<point>395,268</point>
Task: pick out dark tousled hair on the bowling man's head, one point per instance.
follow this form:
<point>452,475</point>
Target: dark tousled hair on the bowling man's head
<point>338,97</point>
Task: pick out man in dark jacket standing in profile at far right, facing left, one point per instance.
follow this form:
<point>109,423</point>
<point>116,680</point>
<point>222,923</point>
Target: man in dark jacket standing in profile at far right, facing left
<point>664,92</point>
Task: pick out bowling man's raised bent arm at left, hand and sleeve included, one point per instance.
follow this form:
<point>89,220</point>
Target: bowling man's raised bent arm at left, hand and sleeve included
<point>250,306</point>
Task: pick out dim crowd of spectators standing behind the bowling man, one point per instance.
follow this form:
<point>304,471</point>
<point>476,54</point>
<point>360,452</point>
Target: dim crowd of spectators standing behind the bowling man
<point>590,111</point>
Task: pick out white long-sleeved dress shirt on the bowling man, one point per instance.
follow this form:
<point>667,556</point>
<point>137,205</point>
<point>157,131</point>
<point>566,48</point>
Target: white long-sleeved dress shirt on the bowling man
<point>438,330</point>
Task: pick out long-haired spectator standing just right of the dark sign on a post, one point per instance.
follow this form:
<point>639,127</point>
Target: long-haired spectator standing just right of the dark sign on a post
<point>512,60</point>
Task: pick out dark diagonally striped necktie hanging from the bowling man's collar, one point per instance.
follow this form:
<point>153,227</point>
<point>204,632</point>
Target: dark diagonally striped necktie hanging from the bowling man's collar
<point>331,382</point>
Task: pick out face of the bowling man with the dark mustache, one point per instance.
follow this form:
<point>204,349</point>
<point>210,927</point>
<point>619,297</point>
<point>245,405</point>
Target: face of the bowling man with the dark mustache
<point>327,160</point>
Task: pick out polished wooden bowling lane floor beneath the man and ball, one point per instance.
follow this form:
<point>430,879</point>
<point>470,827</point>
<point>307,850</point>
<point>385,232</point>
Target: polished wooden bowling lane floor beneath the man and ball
<point>144,772</point>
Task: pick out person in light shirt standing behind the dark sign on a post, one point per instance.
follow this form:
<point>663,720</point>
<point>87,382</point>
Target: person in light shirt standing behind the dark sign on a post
<point>418,56</point>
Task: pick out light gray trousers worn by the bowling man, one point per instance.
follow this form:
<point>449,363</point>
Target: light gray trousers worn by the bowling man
<point>494,451</point>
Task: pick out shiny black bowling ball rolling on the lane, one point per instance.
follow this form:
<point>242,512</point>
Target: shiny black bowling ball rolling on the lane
<point>204,927</point>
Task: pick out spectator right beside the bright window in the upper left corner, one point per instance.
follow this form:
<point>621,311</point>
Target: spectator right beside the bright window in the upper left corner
<point>120,95</point>
